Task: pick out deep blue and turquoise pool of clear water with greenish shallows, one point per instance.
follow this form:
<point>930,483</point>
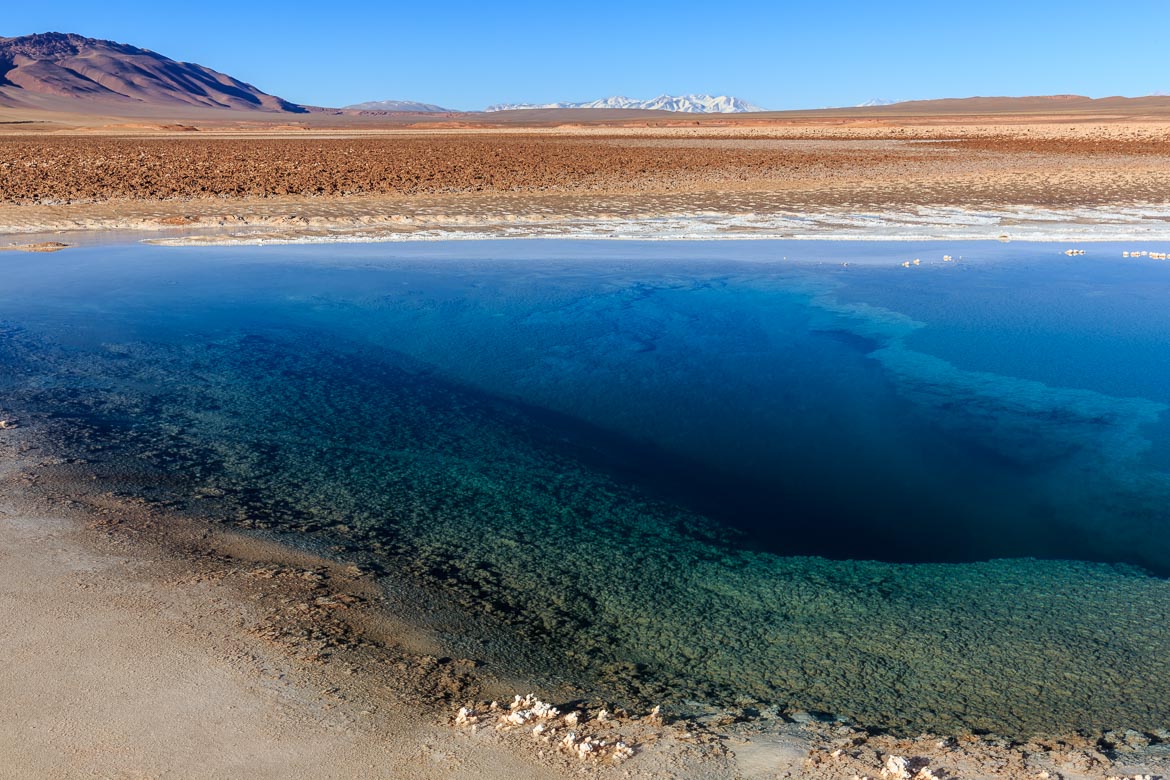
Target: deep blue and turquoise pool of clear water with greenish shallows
<point>920,499</point>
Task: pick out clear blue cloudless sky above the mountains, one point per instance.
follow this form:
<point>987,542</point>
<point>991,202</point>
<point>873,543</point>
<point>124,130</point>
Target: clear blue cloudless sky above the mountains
<point>465,54</point>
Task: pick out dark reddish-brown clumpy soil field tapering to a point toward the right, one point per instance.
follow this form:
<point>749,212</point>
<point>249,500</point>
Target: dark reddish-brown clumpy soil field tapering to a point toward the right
<point>39,170</point>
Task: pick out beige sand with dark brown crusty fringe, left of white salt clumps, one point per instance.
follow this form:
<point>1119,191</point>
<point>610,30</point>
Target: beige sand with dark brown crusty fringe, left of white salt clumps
<point>134,651</point>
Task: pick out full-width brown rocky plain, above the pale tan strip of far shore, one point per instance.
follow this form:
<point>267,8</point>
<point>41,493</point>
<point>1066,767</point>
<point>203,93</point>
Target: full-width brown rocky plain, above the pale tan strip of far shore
<point>954,165</point>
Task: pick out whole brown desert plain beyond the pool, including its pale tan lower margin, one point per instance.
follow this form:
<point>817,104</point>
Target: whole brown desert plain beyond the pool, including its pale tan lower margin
<point>149,180</point>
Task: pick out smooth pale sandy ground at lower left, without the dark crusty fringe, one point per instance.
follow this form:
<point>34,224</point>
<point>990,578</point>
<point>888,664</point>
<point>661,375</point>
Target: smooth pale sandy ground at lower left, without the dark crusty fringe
<point>116,668</point>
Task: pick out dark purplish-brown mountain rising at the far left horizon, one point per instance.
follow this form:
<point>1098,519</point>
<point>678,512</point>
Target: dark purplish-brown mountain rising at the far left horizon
<point>67,66</point>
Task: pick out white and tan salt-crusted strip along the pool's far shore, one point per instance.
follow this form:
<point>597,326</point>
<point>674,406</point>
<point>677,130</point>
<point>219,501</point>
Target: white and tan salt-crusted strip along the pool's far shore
<point>322,225</point>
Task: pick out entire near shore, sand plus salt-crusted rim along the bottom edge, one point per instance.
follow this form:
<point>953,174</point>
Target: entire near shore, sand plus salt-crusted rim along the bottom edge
<point>311,648</point>
